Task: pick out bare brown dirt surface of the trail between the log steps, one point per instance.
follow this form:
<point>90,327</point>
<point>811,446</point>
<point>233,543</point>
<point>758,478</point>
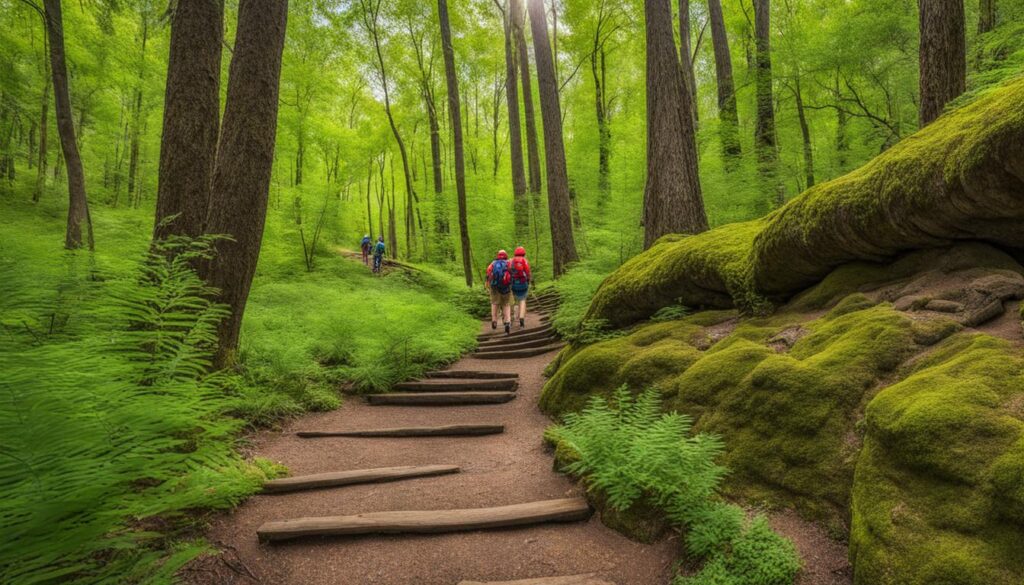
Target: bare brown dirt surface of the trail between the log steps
<point>499,470</point>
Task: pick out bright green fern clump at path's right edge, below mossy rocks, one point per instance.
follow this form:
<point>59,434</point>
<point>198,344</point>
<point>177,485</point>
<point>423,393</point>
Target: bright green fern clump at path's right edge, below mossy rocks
<point>630,454</point>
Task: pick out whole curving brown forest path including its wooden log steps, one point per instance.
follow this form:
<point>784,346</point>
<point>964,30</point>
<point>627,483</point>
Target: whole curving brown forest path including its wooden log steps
<point>495,470</point>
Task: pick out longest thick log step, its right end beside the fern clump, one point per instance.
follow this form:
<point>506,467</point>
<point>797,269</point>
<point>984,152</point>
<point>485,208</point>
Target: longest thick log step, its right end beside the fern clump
<point>429,522</point>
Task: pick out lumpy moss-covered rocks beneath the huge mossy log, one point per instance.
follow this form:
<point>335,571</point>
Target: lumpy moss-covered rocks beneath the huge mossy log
<point>901,428</point>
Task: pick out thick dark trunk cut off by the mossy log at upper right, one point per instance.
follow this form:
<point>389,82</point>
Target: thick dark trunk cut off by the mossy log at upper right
<point>944,56</point>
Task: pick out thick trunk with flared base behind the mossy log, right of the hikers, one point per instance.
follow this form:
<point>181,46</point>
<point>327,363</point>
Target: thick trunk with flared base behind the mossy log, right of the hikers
<point>672,197</point>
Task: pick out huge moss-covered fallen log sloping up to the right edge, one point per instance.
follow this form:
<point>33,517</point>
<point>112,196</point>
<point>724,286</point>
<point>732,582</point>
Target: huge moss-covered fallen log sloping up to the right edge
<point>961,178</point>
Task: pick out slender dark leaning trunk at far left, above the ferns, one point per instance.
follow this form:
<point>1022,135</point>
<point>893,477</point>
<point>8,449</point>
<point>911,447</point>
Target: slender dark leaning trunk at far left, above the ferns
<point>78,205</point>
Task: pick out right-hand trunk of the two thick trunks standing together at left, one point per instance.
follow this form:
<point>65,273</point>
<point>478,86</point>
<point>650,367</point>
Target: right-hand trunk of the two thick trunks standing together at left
<point>245,160</point>
